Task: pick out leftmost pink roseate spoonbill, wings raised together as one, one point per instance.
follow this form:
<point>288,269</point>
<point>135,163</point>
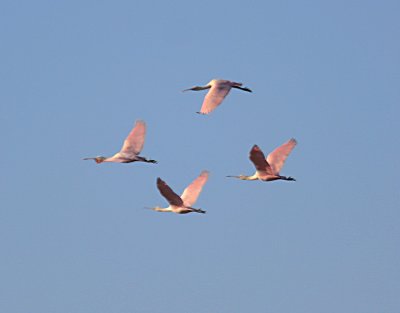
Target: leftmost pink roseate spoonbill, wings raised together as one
<point>133,144</point>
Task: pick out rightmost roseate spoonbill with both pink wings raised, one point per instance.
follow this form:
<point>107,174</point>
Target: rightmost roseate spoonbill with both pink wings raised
<point>268,169</point>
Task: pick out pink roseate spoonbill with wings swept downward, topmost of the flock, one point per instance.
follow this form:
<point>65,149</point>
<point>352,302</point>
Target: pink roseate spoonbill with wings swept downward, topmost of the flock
<point>219,89</point>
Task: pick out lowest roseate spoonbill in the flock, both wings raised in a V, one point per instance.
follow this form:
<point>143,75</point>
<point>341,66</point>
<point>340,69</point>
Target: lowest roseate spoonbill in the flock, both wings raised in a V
<point>182,204</point>
